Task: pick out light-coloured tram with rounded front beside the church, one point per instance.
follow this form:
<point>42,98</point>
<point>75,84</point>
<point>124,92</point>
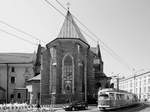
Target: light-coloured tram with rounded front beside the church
<point>112,98</point>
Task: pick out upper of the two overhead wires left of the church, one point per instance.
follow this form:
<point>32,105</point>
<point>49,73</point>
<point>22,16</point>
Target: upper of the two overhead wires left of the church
<point>19,30</point>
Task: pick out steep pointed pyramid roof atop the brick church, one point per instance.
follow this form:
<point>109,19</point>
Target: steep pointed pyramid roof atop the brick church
<point>70,29</point>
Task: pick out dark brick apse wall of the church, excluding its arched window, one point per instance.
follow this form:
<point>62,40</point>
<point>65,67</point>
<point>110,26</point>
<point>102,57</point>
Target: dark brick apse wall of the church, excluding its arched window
<point>83,68</point>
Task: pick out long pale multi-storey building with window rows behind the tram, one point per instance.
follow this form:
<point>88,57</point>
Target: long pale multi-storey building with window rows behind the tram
<point>138,83</point>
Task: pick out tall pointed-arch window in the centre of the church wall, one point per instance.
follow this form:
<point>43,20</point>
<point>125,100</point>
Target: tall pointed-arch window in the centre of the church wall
<point>68,74</point>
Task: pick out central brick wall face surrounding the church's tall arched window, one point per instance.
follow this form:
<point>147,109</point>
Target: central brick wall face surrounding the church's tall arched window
<point>64,48</point>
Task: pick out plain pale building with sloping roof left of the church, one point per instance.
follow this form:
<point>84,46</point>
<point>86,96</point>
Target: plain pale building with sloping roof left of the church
<point>15,70</point>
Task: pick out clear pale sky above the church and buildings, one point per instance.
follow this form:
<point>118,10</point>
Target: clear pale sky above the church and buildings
<point>123,25</point>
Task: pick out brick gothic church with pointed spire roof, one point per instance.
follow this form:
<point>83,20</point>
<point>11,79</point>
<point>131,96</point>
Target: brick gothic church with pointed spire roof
<point>71,70</point>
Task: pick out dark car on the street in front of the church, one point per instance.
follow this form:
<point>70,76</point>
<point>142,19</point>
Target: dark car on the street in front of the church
<point>76,106</point>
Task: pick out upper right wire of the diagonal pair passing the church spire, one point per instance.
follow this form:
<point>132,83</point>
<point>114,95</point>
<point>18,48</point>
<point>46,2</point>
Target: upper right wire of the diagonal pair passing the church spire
<point>112,51</point>
